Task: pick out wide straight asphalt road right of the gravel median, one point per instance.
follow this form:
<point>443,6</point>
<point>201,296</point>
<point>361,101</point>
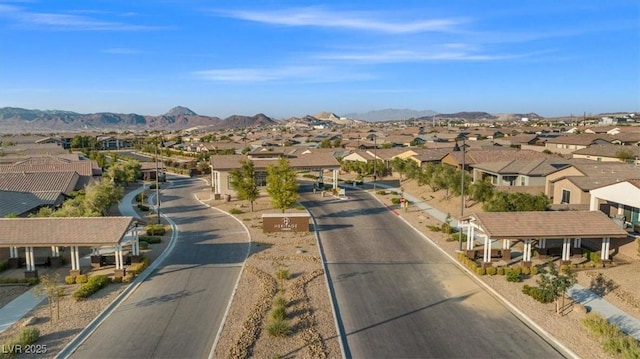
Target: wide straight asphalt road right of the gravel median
<point>397,296</point>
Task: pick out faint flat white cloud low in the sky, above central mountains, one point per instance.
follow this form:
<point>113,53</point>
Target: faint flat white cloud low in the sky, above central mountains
<point>315,74</point>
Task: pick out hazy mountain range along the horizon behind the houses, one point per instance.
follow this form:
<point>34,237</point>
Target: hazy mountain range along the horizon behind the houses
<point>18,120</point>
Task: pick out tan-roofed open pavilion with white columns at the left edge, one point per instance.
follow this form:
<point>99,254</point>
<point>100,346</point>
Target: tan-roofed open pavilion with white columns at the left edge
<point>23,235</point>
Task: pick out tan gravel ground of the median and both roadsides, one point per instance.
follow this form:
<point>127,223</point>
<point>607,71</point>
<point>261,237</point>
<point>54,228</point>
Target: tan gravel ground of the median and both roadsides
<point>313,332</point>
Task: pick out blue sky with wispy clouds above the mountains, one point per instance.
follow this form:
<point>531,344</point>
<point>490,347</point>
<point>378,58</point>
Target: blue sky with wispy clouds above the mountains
<point>292,58</point>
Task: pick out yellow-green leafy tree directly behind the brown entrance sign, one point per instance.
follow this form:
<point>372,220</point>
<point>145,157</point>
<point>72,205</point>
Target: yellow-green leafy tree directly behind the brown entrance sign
<point>282,185</point>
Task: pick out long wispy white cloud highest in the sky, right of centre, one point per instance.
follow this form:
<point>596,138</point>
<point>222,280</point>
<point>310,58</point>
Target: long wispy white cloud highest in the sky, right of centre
<point>318,17</point>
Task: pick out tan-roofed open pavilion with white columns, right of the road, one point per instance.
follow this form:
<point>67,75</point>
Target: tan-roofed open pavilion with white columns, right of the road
<point>540,227</point>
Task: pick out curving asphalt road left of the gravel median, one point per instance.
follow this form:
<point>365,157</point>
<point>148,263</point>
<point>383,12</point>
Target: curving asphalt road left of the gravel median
<point>178,310</point>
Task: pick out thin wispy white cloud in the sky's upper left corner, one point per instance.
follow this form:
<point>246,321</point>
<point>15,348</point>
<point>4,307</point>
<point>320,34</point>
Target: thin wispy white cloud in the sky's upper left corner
<point>57,21</point>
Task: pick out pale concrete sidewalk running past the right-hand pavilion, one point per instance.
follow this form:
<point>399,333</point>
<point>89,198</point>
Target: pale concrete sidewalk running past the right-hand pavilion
<point>627,323</point>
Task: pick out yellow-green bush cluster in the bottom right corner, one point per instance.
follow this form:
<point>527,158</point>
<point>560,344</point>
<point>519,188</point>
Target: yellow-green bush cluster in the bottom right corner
<point>612,339</point>
